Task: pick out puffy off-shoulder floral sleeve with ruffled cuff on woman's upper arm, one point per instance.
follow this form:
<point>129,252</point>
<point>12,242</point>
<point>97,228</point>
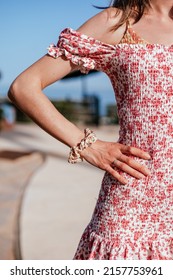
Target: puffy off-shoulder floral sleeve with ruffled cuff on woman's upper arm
<point>84,51</point>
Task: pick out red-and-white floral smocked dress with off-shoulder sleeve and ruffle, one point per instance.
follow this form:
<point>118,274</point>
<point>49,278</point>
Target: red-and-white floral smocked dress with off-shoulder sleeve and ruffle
<point>135,220</point>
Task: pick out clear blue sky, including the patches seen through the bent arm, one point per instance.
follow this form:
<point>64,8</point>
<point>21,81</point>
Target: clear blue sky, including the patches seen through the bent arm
<point>27,29</point>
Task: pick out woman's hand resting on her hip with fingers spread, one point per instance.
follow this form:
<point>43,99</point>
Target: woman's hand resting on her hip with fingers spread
<point>107,155</point>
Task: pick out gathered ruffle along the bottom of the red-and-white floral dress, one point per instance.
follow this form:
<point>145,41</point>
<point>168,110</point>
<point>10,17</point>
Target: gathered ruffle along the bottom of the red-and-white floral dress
<point>94,247</point>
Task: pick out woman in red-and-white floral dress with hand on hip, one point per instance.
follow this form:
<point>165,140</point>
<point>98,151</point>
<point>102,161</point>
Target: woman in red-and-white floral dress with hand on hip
<point>131,42</point>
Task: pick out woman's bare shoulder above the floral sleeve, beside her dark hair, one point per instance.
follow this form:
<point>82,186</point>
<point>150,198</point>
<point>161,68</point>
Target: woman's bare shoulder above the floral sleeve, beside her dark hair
<point>101,26</point>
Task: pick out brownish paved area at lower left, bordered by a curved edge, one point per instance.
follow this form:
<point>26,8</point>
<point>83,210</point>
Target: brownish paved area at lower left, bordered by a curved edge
<point>16,169</point>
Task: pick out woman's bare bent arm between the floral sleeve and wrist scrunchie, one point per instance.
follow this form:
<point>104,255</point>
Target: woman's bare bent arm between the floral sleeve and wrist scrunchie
<point>26,93</point>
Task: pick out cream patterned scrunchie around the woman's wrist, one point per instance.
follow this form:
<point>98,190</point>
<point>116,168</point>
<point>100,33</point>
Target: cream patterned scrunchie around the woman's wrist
<point>86,142</point>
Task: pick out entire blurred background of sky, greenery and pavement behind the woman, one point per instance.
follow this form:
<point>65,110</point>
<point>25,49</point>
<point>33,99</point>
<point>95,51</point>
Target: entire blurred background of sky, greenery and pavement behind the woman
<point>45,203</point>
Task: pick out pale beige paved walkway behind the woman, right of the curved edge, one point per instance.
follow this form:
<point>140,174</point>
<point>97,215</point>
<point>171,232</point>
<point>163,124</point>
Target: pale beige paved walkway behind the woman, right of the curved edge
<point>60,197</point>
